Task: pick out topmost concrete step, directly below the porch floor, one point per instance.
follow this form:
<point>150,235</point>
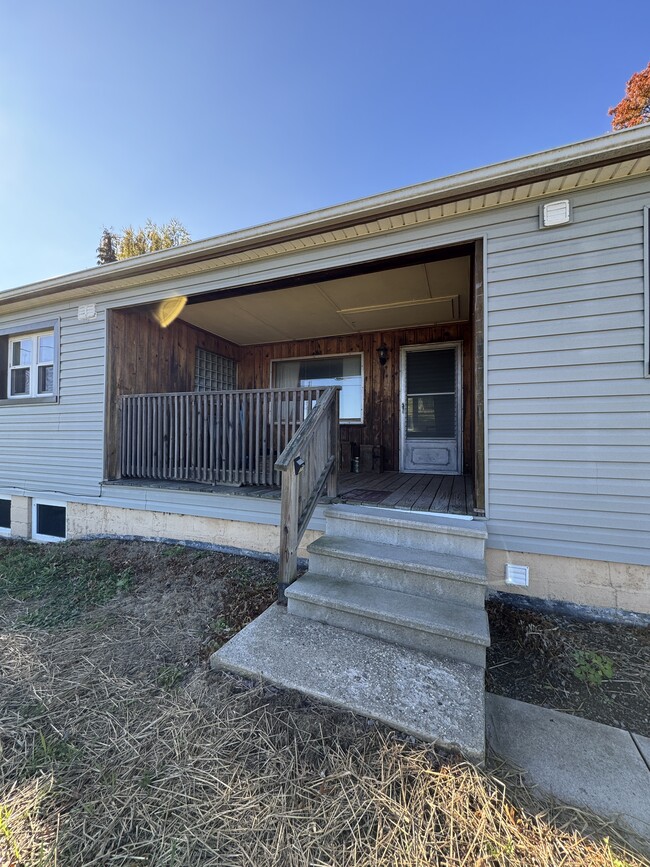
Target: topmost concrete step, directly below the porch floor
<point>446,535</point>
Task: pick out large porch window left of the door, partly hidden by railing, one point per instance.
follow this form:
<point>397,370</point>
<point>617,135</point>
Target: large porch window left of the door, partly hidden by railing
<point>345,371</point>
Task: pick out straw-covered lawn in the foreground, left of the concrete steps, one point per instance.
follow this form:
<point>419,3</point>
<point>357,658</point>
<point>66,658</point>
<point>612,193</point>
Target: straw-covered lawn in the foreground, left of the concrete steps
<point>120,747</point>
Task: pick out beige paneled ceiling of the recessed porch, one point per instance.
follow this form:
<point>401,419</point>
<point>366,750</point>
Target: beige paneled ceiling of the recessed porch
<point>428,294</point>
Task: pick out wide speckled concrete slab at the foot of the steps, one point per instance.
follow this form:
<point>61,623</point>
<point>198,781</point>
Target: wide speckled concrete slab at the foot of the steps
<point>433,699</point>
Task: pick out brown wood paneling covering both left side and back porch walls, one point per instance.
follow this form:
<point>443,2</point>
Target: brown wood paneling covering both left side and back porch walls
<point>146,359</point>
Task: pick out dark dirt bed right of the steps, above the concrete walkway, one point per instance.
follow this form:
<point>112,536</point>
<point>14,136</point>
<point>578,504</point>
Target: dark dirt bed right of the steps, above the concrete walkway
<point>600,671</point>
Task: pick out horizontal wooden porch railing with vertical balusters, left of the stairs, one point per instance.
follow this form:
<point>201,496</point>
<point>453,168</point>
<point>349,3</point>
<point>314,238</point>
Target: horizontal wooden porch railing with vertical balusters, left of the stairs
<point>231,437</point>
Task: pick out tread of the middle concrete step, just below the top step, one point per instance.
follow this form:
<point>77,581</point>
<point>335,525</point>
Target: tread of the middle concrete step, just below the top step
<point>411,559</point>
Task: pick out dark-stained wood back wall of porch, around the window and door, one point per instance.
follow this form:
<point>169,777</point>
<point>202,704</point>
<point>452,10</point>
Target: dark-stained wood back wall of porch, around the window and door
<point>381,384</point>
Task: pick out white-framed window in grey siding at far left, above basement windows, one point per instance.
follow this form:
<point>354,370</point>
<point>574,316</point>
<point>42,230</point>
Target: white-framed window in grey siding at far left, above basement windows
<point>31,365</point>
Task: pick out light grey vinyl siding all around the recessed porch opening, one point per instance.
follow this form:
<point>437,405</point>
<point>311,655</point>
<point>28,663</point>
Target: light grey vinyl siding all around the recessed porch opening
<point>567,403</point>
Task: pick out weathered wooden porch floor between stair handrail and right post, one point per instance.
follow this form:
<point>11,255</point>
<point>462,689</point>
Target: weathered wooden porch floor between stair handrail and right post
<point>418,492</point>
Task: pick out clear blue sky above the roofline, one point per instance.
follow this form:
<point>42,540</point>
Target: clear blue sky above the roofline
<point>228,113</point>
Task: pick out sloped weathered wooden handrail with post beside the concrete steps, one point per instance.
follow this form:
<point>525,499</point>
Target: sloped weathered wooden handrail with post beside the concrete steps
<point>308,464</point>
